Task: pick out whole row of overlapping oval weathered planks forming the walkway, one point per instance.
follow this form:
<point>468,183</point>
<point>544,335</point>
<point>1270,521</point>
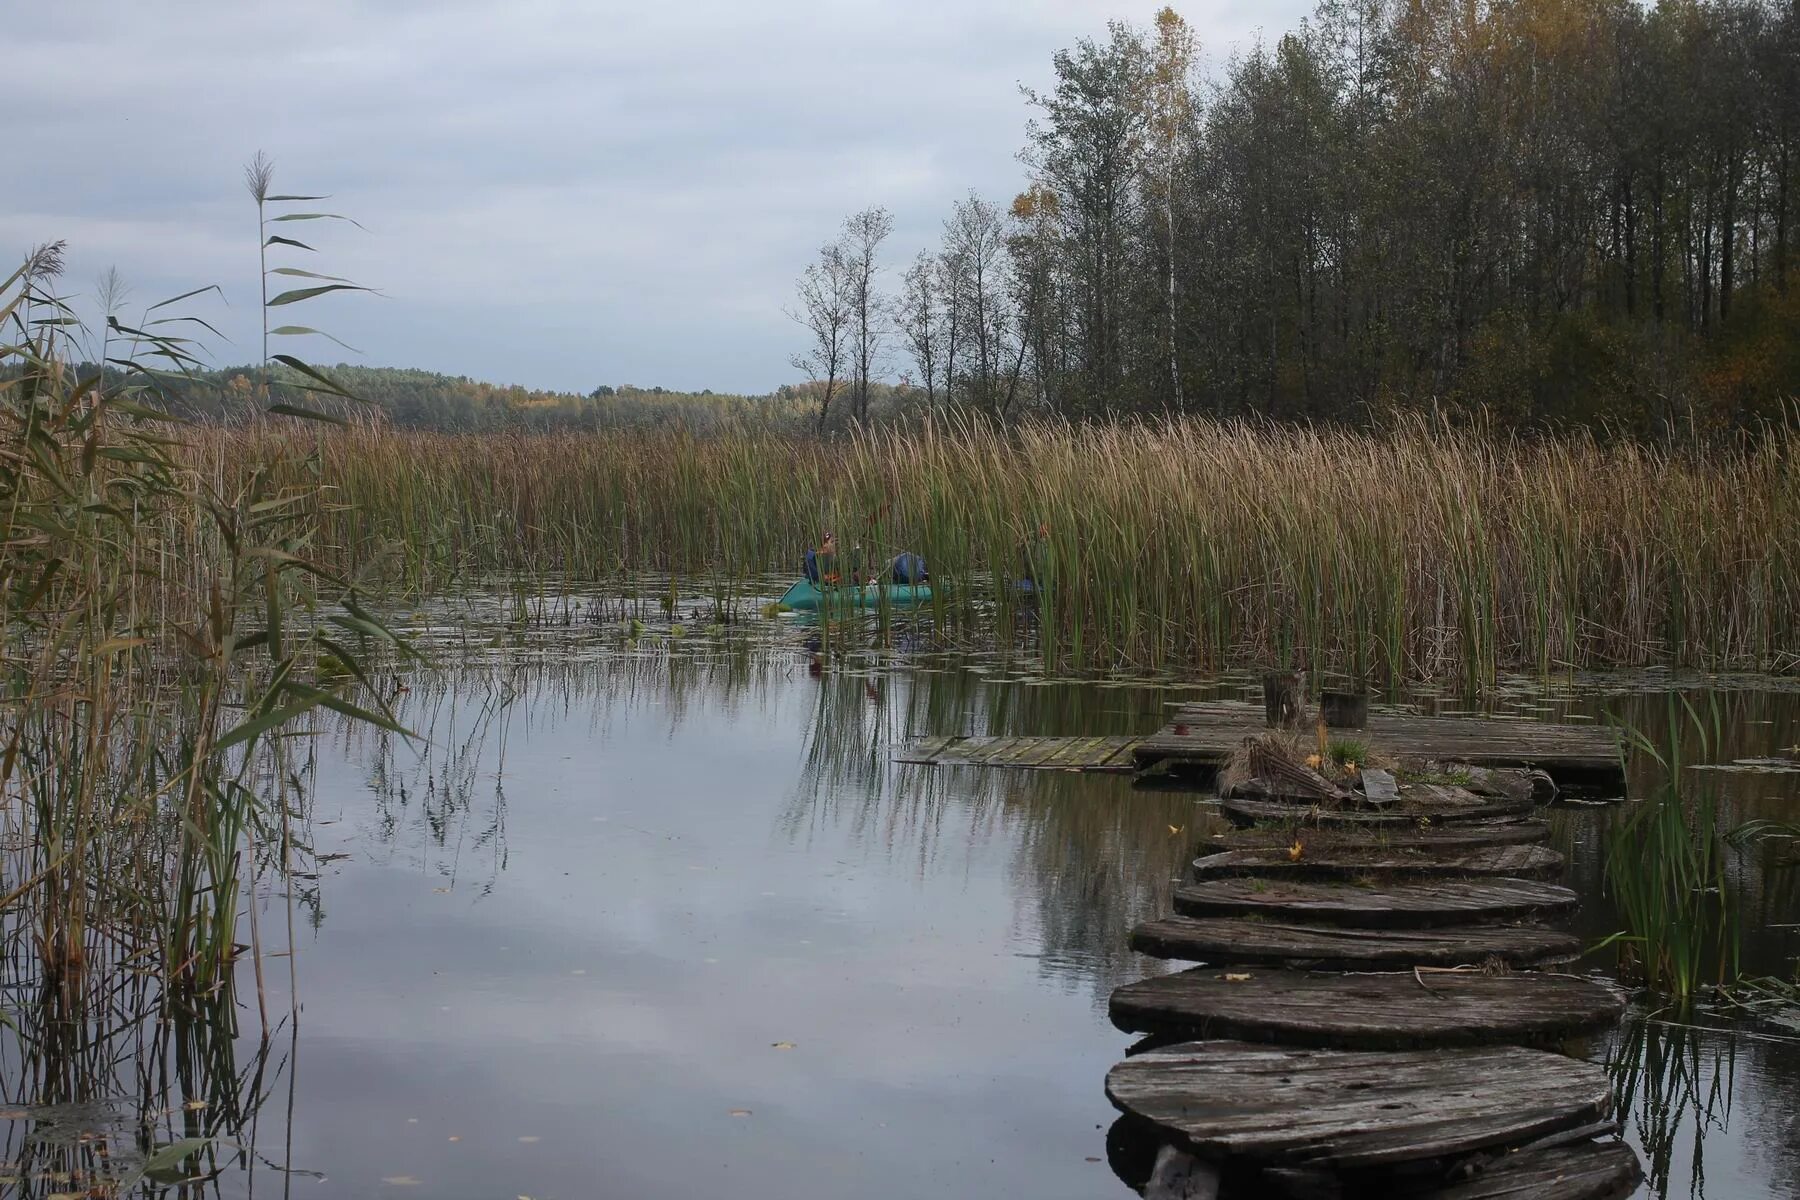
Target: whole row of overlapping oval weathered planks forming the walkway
<point>1367,1003</point>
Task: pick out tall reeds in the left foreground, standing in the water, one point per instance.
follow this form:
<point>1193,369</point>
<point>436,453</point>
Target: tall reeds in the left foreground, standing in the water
<point>159,636</point>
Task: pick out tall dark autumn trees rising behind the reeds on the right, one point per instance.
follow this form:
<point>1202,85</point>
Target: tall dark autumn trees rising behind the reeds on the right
<point>1563,211</point>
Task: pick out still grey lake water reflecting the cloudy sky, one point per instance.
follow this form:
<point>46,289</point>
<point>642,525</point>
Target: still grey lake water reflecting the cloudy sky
<point>661,918</point>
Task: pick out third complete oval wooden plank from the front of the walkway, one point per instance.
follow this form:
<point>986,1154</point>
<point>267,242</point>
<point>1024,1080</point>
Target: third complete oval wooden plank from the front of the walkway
<point>1234,942</point>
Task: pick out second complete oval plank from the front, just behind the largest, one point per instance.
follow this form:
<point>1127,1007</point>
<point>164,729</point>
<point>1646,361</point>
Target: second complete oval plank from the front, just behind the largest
<point>1365,1012</point>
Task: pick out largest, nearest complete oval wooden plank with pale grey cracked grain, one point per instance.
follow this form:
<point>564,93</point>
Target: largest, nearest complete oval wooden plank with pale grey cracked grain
<point>1234,1102</point>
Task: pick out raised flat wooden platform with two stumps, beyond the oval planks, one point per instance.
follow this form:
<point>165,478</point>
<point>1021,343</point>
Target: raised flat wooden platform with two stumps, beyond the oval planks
<point>1205,735</point>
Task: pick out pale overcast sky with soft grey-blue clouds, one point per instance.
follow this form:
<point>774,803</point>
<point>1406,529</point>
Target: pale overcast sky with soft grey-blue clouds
<point>555,195</point>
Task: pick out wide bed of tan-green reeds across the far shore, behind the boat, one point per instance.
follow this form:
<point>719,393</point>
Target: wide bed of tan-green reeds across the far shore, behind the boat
<point>1403,553</point>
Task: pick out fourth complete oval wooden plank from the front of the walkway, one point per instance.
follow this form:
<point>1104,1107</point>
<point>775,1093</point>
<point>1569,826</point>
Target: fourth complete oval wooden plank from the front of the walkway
<point>1399,904</point>
